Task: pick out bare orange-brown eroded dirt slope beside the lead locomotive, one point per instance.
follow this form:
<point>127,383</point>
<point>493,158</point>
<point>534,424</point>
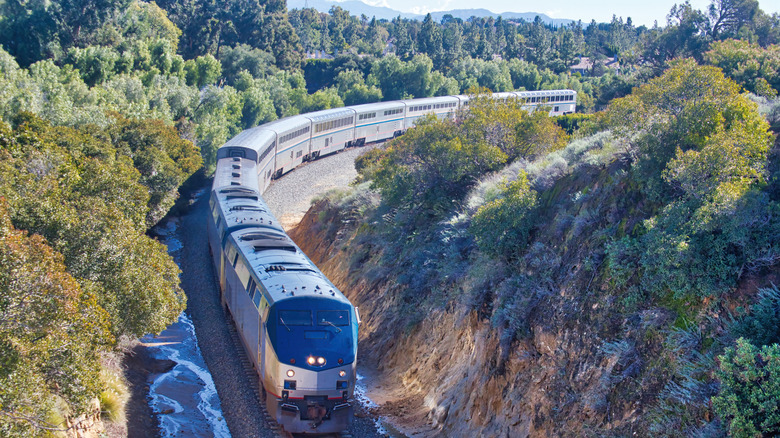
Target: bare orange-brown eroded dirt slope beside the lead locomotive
<point>450,374</point>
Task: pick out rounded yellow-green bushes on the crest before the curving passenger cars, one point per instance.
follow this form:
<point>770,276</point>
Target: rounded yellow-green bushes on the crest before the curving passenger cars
<point>432,167</point>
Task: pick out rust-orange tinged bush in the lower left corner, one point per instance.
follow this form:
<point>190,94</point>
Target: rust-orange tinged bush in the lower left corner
<point>52,333</point>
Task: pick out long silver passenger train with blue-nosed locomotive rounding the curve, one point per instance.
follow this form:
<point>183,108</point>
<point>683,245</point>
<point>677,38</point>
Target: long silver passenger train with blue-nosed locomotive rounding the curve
<point>299,330</point>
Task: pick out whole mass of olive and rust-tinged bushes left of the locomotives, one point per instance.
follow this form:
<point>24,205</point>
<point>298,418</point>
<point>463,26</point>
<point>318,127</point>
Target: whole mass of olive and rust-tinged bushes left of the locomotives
<point>88,273</point>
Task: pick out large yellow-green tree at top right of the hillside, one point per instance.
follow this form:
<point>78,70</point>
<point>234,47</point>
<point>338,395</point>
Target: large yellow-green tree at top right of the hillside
<point>700,149</point>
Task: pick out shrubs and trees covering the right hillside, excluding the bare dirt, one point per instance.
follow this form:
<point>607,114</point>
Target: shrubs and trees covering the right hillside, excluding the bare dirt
<point>641,229</point>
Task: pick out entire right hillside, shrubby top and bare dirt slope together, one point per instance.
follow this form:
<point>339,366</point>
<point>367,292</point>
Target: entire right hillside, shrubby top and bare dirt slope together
<point>615,283</point>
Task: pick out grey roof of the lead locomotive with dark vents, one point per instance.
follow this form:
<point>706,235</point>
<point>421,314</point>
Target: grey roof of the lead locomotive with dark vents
<point>282,268</point>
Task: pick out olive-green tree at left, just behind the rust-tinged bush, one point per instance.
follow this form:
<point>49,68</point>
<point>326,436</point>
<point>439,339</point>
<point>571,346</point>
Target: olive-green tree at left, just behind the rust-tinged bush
<point>84,196</point>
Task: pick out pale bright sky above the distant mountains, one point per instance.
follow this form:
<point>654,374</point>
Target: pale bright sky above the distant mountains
<point>641,11</point>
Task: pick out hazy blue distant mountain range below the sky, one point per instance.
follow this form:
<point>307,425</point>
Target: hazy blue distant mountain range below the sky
<point>359,8</point>
